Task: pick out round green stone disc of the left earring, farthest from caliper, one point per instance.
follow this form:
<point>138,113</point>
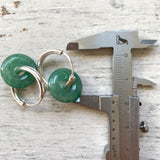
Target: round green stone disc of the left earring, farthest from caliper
<point>10,73</point>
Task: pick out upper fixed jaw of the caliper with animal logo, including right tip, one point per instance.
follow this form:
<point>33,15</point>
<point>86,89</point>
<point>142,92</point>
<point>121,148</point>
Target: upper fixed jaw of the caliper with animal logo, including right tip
<point>106,40</point>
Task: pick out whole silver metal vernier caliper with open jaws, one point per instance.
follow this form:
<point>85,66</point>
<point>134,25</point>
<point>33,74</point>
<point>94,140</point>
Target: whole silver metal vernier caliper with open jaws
<point>123,106</point>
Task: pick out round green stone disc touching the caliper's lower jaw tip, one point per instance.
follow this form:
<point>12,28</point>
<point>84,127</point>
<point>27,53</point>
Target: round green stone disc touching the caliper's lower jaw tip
<point>56,86</point>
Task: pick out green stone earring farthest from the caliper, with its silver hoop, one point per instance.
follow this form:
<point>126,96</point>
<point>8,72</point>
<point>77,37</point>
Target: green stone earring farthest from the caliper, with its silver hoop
<point>19,71</point>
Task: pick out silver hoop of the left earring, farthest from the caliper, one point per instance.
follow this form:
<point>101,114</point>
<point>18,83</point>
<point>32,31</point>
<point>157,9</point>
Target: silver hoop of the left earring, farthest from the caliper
<point>41,86</point>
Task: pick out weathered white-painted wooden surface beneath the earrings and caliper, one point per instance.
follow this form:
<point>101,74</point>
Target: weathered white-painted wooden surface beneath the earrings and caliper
<point>56,131</point>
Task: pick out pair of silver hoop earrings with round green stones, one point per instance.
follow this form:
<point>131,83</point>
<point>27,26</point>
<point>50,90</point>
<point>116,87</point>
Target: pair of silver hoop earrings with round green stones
<point>20,71</point>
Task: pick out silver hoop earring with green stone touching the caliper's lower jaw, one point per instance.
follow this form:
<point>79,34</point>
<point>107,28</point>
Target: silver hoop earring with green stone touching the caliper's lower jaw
<point>64,84</point>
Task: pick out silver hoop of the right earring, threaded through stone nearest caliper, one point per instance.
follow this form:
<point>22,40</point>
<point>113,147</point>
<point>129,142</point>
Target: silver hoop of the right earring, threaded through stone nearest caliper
<point>43,57</point>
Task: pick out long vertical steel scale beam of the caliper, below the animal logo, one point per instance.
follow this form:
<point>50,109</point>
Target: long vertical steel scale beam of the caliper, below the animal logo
<point>122,86</point>
